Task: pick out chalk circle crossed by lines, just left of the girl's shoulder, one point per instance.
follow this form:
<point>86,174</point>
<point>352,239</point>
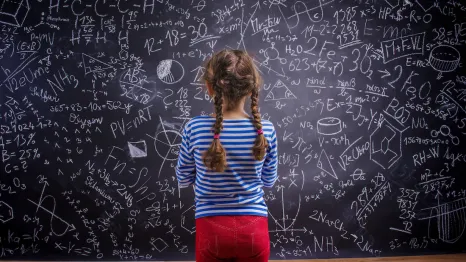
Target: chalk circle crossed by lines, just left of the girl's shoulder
<point>167,144</point>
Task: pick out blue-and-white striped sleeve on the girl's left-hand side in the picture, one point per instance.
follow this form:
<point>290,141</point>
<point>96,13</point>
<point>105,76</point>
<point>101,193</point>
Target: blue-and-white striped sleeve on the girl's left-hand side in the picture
<point>186,166</point>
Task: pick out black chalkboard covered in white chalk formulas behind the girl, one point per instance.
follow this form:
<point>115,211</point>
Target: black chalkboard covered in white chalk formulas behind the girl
<point>368,99</point>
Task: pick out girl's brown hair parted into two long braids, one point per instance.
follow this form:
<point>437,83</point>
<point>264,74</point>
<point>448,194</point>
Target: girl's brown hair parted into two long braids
<point>233,76</point>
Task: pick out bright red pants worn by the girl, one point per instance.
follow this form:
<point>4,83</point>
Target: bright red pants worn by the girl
<point>232,238</point>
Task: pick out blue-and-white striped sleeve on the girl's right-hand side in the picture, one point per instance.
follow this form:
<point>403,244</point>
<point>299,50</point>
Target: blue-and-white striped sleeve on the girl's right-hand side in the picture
<point>270,168</point>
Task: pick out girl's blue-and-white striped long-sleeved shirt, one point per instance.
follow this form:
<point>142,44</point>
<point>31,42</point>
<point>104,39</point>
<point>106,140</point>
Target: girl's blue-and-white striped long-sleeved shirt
<point>237,190</point>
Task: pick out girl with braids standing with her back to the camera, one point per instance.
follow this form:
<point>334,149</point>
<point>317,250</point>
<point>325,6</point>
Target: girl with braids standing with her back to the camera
<point>229,157</point>
